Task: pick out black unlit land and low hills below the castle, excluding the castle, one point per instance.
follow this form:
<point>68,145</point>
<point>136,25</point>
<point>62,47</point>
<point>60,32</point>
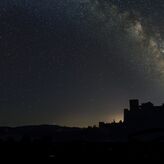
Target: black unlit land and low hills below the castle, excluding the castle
<point>59,144</point>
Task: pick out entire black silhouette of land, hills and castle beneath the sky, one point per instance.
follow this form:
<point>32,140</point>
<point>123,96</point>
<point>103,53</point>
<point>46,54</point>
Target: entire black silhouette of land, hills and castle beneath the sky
<point>139,137</point>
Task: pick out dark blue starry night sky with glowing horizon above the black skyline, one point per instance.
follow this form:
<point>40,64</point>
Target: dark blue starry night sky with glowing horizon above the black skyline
<point>78,62</point>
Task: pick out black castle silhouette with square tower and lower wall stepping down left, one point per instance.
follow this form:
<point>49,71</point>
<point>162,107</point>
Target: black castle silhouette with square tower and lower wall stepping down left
<point>138,117</point>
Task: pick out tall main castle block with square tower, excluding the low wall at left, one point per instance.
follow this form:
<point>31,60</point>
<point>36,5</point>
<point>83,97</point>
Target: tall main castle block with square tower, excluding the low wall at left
<point>144,116</point>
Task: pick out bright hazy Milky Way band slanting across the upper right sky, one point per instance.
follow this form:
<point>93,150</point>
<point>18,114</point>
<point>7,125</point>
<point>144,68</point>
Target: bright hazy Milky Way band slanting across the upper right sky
<point>142,36</point>
